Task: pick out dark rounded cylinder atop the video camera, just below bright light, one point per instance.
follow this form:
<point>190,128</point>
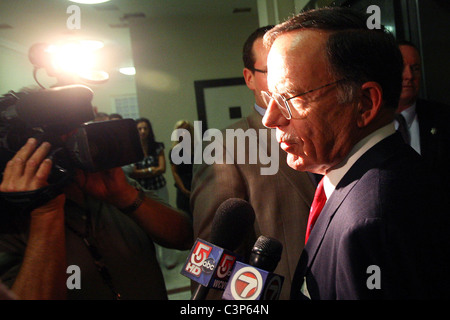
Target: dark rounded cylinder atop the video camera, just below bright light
<point>67,106</point>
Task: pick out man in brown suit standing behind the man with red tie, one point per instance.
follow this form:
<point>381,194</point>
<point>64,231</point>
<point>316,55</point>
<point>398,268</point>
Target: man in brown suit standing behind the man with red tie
<point>281,201</point>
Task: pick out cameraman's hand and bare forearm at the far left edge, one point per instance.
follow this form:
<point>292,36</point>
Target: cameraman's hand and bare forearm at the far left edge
<point>43,271</point>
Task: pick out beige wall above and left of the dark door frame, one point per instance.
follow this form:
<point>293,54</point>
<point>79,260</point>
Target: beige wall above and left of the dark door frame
<point>170,54</point>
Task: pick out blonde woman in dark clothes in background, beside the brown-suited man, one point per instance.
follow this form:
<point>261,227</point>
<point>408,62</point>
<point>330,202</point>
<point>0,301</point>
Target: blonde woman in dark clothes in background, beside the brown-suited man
<point>182,173</point>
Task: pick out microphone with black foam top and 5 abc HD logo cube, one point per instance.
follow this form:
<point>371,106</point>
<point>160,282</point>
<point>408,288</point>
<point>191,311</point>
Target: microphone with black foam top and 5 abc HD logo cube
<point>210,263</point>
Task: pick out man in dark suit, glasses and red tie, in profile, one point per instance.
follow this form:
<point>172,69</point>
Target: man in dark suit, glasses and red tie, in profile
<point>334,87</point>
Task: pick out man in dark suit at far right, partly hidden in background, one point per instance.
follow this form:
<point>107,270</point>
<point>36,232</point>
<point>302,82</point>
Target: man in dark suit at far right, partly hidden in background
<point>426,121</point>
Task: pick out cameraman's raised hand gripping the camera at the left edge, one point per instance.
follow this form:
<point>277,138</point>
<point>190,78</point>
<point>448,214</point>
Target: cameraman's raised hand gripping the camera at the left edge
<point>29,169</point>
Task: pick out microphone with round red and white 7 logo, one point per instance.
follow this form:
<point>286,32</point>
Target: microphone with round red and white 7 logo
<point>255,281</point>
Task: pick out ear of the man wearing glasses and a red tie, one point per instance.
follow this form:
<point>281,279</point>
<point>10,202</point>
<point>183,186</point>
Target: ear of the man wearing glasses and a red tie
<point>370,103</point>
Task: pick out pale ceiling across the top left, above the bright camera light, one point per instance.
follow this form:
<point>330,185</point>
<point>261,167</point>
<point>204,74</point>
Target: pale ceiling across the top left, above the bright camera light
<point>25,22</point>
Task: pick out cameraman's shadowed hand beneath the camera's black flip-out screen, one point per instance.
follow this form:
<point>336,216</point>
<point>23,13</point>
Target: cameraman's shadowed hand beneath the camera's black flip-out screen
<point>109,185</point>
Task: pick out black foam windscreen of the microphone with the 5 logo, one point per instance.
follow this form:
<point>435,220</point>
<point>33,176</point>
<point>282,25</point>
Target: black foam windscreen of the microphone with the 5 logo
<point>233,220</point>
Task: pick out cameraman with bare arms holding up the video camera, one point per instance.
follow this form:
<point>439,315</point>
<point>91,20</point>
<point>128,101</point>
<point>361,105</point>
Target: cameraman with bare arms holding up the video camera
<point>85,227</point>
